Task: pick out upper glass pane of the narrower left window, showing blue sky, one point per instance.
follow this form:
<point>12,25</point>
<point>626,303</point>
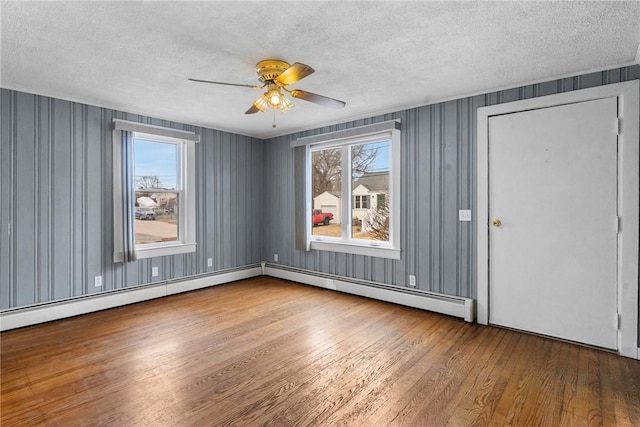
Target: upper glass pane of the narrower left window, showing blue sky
<point>156,164</point>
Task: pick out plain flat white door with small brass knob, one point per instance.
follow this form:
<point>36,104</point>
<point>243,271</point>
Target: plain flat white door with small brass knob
<point>553,189</point>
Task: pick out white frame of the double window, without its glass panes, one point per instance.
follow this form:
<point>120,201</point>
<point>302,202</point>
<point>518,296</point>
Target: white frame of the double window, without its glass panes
<point>390,249</point>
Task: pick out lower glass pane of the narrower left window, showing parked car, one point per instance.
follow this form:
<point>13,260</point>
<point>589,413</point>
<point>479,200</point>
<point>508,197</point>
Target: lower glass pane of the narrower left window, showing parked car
<point>156,217</point>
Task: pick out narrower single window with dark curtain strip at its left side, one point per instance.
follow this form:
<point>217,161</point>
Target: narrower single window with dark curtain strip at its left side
<point>154,180</point>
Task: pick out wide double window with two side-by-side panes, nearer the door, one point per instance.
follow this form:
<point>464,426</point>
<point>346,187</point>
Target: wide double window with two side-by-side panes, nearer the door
<point>353,178</point>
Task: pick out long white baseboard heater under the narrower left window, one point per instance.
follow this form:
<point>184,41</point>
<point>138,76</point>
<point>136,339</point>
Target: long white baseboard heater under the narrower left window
<point>46,312</point>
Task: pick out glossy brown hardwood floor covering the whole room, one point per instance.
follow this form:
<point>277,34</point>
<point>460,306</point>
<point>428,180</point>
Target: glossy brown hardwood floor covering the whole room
<point>270,352</point>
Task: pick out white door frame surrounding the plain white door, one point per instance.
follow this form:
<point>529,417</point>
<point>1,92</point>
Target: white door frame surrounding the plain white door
<point>628,94</point>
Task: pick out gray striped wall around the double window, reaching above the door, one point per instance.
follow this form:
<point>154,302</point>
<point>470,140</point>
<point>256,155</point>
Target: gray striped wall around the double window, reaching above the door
<point>438,179</point>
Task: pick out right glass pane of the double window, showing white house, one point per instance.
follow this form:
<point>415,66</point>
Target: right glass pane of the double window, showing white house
<point>370,188</point>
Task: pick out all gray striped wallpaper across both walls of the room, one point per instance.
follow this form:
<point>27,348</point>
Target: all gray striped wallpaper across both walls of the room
<point>56,191</point>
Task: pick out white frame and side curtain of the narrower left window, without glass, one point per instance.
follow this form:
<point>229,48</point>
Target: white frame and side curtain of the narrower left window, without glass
<point>185,142</point>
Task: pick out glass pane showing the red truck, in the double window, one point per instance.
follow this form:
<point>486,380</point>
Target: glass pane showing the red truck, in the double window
<point>326,189</point>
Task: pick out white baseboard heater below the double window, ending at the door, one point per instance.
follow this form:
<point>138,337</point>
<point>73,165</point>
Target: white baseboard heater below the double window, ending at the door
<point>440,303</point>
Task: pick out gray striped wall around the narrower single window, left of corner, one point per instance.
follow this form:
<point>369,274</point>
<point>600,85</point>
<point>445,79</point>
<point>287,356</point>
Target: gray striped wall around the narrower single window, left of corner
<point>56,197</point>
